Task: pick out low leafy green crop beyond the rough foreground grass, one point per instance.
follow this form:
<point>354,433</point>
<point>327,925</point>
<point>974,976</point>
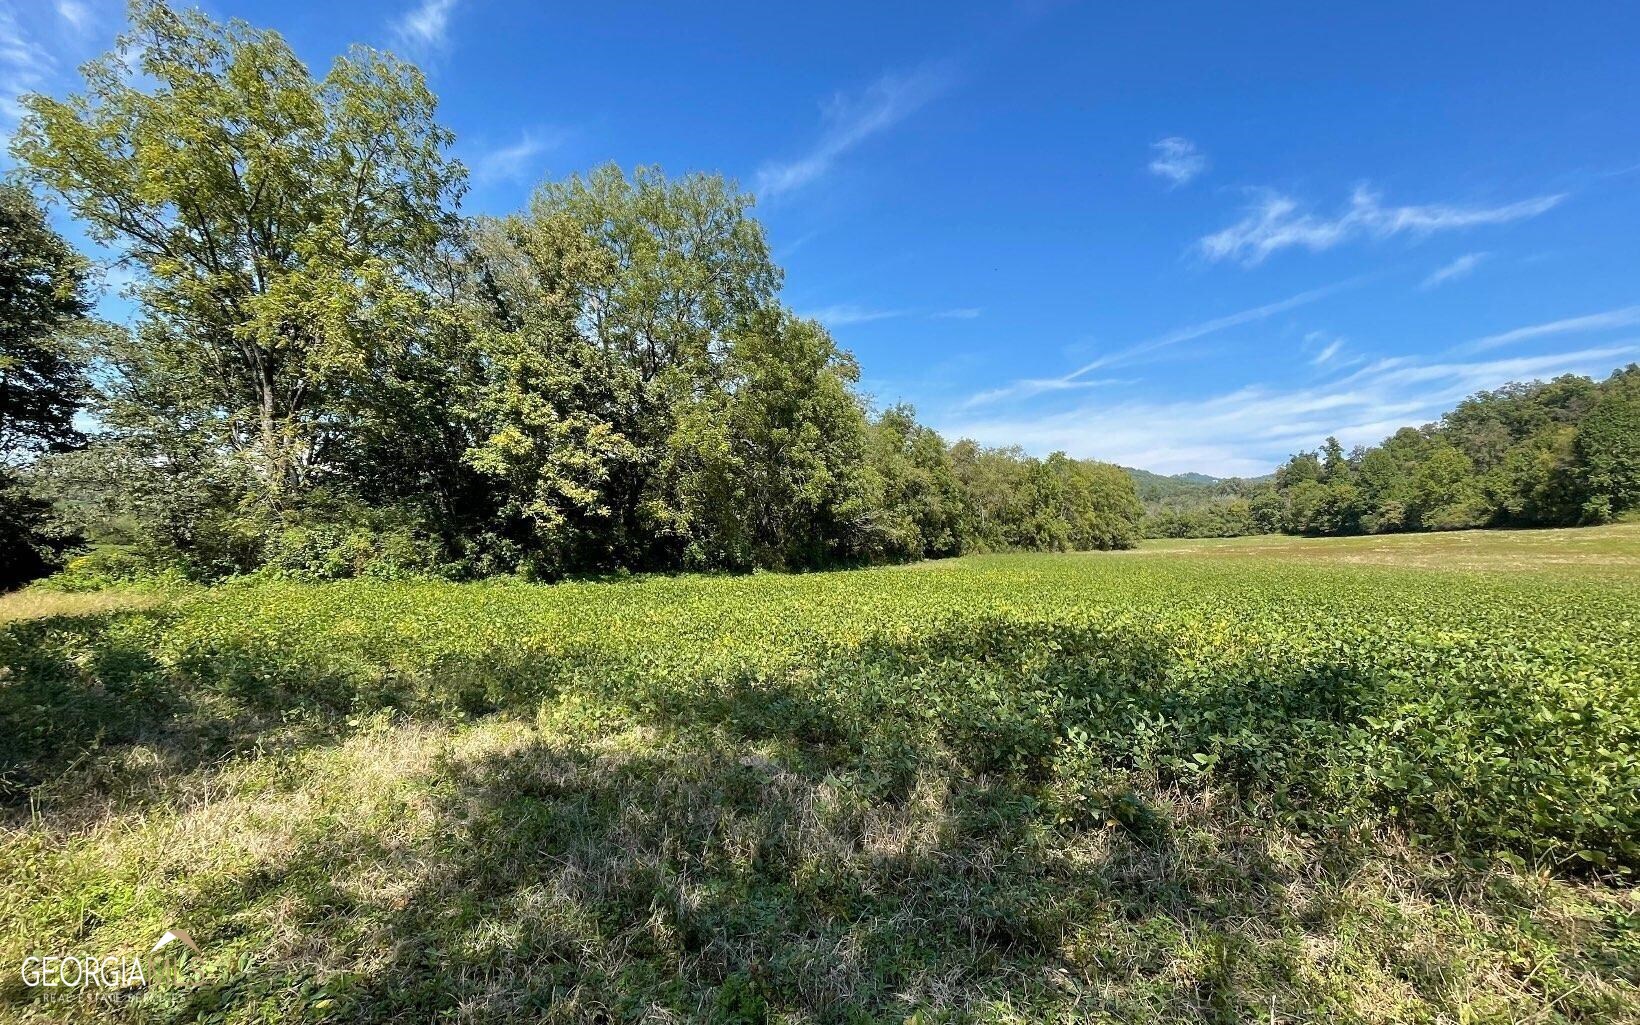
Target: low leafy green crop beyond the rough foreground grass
<point>1485,713</point>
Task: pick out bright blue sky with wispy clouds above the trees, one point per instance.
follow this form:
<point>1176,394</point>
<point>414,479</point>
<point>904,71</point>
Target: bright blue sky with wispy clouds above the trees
<point>1177,237</point>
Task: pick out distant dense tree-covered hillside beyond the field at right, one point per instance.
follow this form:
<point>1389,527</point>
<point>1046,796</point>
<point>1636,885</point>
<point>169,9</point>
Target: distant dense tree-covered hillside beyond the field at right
<point>1556,453</point>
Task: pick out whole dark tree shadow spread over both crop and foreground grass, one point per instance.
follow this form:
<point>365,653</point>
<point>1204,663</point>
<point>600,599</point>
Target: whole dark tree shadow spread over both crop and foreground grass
<point>1008,822</point>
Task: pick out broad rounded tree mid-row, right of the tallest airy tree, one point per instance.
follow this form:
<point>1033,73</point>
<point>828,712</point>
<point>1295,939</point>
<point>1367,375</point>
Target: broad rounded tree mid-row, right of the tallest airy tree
<point>611,312</point>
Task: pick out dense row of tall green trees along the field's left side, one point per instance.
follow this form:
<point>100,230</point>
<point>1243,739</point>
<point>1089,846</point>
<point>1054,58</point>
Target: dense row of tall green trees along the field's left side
<point>335,373</point>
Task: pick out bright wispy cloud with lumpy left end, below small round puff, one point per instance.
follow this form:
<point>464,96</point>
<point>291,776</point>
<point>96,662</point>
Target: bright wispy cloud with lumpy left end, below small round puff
<point>1278,222</point>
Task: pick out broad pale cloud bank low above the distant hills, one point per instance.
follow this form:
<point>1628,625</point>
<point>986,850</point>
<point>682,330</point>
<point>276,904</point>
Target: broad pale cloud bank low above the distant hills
<point>1249,430</point>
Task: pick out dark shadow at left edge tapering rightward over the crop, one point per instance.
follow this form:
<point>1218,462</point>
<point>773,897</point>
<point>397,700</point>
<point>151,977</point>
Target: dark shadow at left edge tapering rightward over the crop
<point>96,706</point>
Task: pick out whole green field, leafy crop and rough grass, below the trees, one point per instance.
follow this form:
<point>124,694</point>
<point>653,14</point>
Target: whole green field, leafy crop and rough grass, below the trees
<point>1372,780</point>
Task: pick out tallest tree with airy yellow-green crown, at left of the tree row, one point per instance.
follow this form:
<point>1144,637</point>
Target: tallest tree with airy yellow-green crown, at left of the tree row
<point>281,224</point>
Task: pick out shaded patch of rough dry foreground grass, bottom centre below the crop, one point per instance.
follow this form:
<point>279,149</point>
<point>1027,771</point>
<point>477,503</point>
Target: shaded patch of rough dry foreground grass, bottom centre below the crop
<point>698,883</point>
